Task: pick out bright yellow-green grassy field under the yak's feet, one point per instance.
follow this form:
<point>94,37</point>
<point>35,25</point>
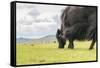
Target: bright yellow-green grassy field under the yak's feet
<point>49,53</point>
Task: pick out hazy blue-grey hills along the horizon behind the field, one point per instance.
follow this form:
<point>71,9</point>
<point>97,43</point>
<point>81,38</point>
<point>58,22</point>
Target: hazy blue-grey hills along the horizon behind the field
<point>43,39</point>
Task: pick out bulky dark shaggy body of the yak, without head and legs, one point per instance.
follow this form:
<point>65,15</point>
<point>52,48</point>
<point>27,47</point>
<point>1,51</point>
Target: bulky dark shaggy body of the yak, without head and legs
<point>79,21</point>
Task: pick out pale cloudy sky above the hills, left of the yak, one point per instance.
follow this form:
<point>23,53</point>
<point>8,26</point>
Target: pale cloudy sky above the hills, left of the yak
<point>37,20</point>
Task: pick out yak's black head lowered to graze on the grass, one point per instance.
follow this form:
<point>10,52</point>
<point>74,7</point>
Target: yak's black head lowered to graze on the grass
<point>60,40</point>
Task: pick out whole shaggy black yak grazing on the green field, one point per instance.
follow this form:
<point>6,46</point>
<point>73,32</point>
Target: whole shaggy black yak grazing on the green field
<point>78,23</point>
